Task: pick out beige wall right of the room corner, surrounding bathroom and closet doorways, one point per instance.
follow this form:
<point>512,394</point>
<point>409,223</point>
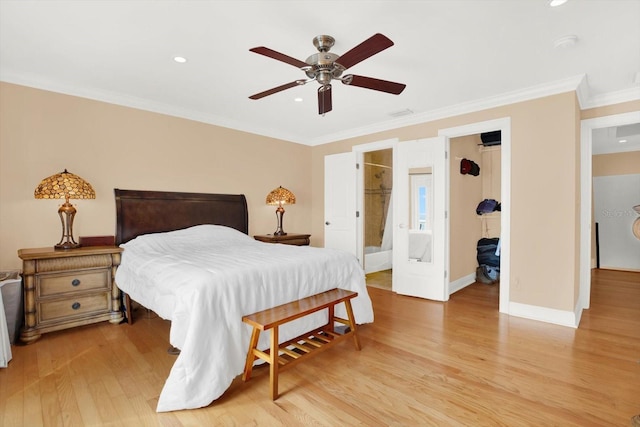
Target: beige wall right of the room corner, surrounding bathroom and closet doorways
<point>545,144</point>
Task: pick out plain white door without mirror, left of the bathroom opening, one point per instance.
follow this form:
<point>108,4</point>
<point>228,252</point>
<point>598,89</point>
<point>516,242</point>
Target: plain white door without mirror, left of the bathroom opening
<point>340,201</point>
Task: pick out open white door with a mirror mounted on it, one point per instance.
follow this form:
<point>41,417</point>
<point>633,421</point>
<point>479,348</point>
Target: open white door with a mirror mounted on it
<point>420,225</point>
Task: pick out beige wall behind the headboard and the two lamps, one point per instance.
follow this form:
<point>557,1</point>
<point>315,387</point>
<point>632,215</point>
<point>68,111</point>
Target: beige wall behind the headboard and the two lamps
<point>41,133</point>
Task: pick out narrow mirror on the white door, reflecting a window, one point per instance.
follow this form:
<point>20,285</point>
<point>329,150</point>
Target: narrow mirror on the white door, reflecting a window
<point>420,214</point>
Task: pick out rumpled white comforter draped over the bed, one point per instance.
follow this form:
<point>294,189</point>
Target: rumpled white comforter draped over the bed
<point>205,278</point>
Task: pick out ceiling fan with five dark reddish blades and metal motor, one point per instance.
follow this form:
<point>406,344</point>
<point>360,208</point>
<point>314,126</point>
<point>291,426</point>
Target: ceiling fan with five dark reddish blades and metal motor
<point>325,66</point>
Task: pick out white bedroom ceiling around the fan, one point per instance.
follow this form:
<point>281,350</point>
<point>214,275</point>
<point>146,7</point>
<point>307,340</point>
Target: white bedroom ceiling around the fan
<point>454,56</point>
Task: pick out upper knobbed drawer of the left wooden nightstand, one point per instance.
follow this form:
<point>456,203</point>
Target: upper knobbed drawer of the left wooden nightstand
<point>54,284</point>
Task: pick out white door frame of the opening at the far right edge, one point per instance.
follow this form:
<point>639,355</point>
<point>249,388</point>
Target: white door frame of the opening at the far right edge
<point>586,192</point>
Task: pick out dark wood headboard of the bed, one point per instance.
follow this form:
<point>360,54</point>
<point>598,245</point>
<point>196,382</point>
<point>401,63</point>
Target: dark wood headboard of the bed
<point>144,212</point>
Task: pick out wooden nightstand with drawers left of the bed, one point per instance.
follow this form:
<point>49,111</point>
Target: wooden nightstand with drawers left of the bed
<point>68,288</point>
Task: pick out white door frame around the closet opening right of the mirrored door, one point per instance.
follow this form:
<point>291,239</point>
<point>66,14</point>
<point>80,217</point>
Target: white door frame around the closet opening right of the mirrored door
<point>504,125</point>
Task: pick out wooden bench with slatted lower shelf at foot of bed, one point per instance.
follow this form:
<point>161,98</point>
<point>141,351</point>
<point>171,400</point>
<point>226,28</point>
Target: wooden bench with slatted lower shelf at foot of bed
<point>292,352</point>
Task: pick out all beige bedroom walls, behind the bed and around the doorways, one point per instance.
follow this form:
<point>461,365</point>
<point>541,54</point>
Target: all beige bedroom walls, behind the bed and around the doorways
<point>117,147</point>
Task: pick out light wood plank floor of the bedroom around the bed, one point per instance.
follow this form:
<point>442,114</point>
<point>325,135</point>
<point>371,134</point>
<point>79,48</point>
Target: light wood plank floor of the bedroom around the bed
<point>459,363</point>
